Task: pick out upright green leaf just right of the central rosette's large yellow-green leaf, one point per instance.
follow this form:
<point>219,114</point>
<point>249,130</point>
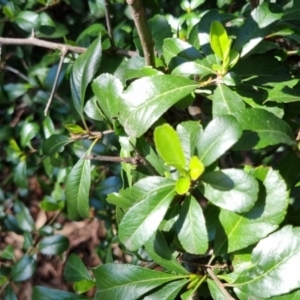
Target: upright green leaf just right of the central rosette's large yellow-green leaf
<point>189,133</point>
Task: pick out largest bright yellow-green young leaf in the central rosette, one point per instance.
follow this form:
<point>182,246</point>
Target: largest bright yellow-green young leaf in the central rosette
<point>168,146</point>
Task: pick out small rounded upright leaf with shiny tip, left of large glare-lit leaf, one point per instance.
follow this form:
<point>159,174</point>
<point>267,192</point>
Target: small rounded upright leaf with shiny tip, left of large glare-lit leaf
<point>108,89</point>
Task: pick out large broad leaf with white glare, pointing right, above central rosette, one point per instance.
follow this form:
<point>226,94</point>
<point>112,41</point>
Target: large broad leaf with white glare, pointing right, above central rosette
<point>148,98</point>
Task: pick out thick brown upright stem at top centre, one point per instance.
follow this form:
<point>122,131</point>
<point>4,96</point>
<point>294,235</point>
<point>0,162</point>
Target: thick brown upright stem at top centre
<point>143,31</point>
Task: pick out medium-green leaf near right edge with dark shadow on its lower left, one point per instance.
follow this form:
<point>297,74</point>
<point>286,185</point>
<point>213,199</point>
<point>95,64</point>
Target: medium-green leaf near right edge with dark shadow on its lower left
<point>262,129</point>
